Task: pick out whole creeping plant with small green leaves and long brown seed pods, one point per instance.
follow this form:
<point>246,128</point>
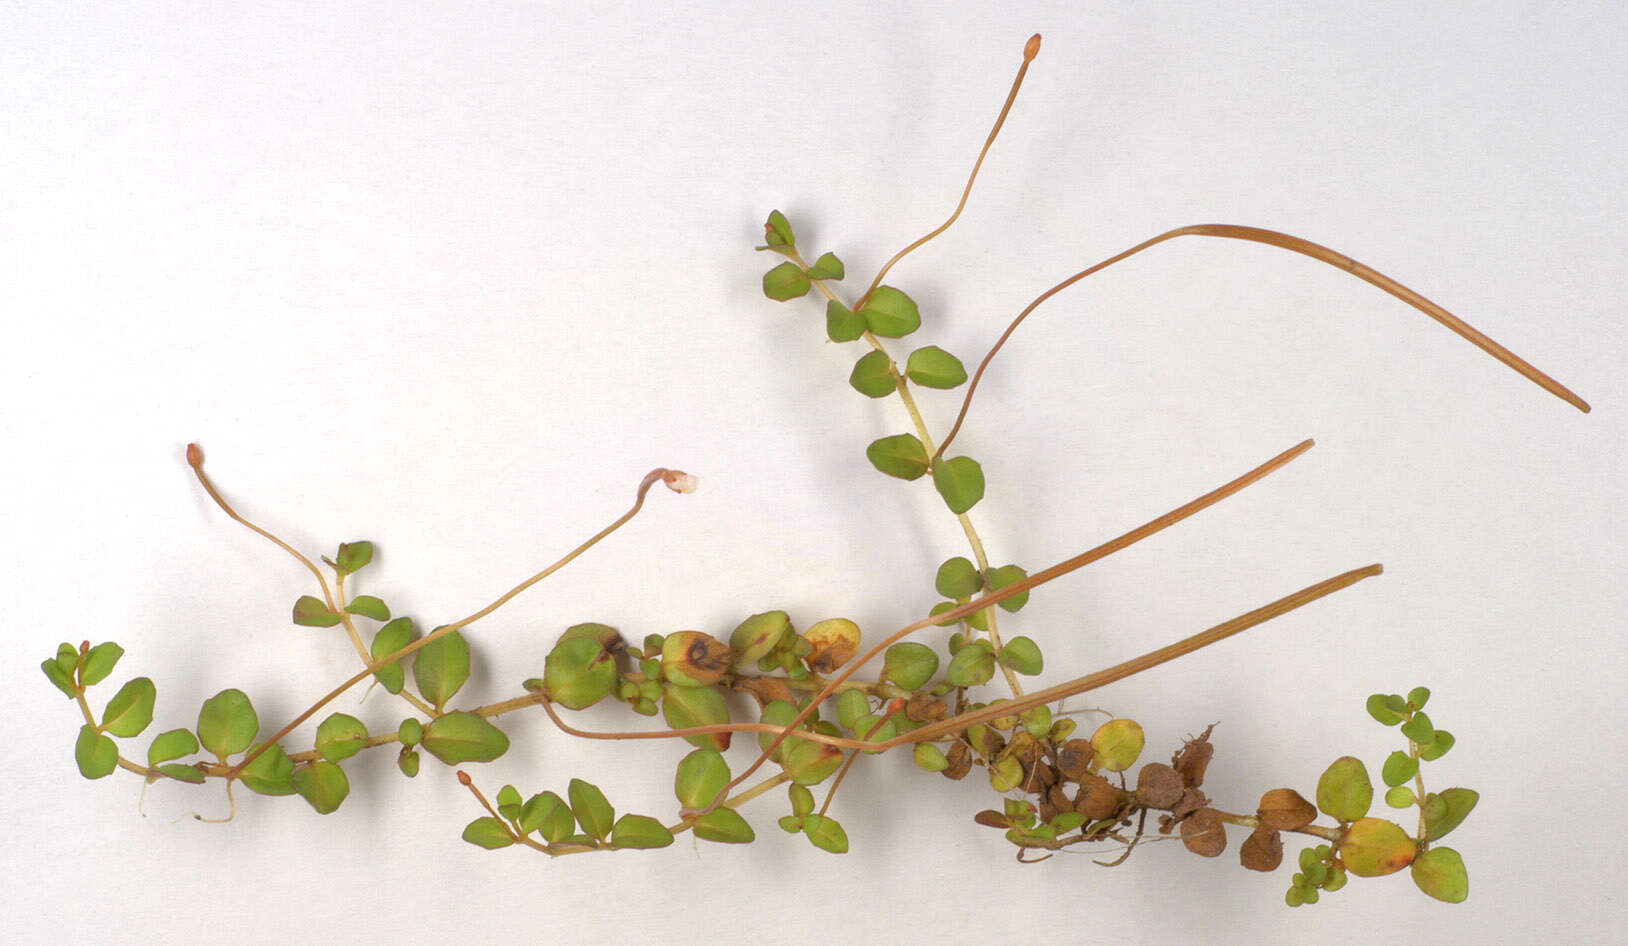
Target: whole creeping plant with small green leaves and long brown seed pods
<point>821,699</point>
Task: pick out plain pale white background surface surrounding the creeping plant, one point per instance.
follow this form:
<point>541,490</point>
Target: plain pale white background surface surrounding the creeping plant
<point>453,278</point>
